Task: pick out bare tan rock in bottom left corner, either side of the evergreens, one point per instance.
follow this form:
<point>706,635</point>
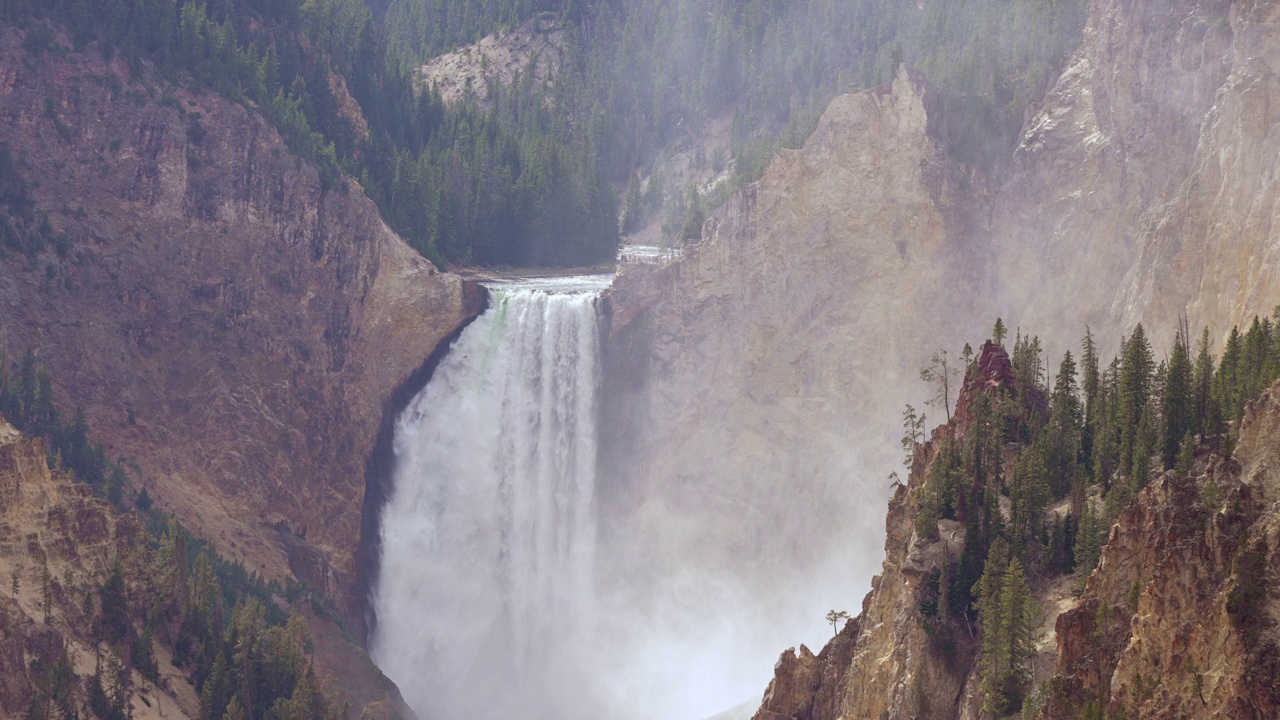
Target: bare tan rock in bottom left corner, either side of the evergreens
<point>58,548</point>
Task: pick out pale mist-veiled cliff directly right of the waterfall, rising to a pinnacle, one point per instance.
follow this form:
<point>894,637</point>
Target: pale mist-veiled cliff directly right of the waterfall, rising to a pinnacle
<point>742,380</point>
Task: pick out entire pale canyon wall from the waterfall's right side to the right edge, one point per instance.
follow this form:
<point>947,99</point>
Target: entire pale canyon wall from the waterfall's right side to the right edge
<point>747,373</point>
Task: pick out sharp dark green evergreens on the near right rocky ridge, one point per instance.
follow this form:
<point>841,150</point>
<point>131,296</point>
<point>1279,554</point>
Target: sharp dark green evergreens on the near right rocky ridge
<point>1086,440</point>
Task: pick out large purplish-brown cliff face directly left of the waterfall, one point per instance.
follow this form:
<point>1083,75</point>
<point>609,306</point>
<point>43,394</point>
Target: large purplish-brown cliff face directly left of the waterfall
<point>232,330</point>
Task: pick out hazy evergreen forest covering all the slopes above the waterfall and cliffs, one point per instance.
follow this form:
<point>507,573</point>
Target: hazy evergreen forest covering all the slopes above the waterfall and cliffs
<point>534,176</point>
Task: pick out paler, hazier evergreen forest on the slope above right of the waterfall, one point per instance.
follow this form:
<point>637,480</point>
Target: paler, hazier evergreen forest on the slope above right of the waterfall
<point>659,70</point>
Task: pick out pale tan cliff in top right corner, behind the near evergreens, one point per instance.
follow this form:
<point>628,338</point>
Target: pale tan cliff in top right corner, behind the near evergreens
<point>1145,185</point>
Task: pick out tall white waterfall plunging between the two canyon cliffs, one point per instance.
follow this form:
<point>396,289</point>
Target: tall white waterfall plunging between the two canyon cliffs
<point>486,590</point>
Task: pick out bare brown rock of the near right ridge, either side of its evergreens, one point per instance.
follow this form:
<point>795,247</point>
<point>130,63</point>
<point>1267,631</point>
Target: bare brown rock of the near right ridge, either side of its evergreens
<point>1178,621</point>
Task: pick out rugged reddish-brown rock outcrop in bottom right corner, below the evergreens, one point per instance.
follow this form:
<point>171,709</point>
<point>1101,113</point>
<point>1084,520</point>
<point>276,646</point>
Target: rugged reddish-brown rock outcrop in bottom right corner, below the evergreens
<point>1181,617</point>
